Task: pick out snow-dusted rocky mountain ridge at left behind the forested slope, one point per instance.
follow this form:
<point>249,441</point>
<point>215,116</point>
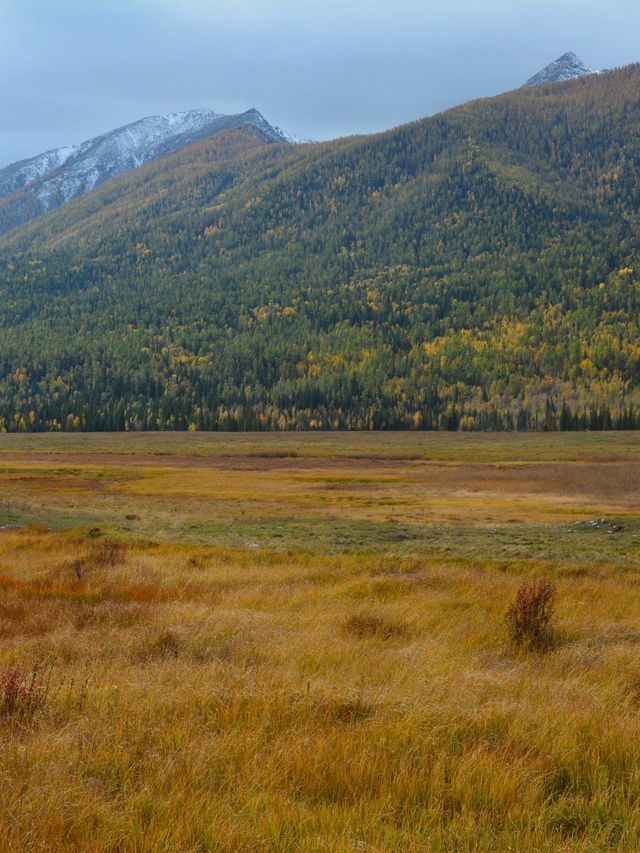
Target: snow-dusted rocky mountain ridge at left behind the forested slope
<point>35,186</point>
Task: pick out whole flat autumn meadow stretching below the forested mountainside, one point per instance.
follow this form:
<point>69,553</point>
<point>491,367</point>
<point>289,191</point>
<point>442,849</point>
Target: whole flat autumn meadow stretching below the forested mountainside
<point>297,642</point>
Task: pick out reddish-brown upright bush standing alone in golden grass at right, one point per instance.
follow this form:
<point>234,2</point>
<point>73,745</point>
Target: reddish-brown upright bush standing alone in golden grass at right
<point>529,617</point>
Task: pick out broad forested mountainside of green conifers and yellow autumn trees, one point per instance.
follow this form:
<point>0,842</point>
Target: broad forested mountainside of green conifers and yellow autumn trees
<point>479,269</point>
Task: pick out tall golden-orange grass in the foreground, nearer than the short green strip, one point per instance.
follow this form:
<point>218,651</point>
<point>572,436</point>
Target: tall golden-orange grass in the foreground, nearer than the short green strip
<point>227,719</point>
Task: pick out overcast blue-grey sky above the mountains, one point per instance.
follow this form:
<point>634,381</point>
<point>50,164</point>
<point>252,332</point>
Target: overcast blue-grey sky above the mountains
<point>318,68</point>
